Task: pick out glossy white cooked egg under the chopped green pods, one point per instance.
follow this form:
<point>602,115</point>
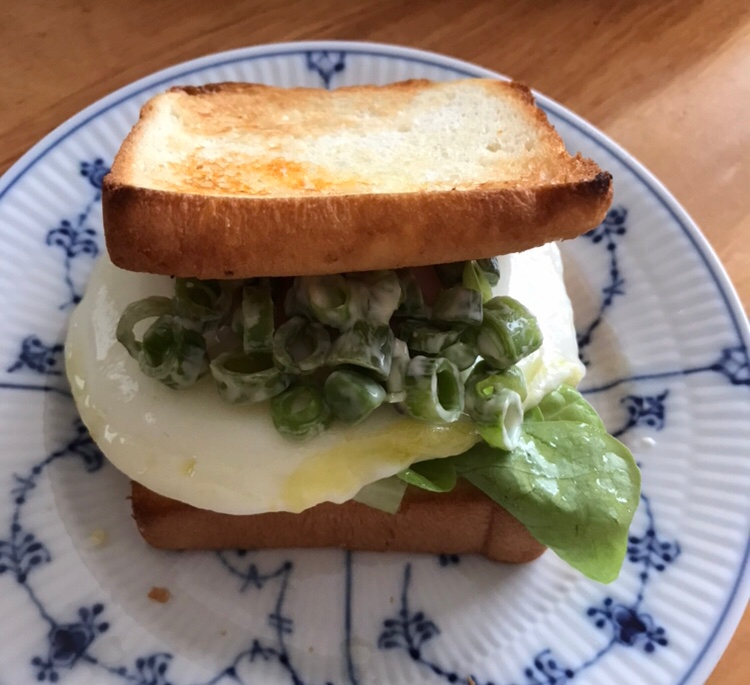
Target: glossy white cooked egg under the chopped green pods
<point>193,447</point>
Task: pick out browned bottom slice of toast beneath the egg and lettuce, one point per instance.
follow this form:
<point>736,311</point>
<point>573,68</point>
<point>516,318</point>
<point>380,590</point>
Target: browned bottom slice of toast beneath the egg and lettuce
<point>464,521</point>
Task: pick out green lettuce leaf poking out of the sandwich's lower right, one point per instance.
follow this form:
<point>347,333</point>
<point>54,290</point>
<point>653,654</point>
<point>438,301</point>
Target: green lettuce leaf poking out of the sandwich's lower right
<point>575,487</point>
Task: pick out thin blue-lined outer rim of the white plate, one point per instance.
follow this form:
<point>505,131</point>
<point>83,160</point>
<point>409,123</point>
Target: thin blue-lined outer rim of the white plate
<point>731,614</point>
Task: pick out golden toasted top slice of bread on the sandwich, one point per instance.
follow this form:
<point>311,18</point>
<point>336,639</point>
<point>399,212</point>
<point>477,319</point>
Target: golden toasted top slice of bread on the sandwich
<point>240,180</point>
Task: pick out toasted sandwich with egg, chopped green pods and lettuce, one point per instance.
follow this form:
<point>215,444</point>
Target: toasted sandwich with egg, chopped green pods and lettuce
<point>338,319</point>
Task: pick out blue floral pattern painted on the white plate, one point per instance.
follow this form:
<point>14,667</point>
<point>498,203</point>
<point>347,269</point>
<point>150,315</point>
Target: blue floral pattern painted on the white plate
<point>69,641</point>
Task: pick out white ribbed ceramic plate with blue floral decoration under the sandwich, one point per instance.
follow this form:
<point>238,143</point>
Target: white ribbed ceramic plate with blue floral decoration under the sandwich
<point>667,346</point>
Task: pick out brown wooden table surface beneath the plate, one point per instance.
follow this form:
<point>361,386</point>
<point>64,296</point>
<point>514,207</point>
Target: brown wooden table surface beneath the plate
<point>669,80</point>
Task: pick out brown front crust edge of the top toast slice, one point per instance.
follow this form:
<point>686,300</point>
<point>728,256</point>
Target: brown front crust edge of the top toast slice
<point>204,236</point>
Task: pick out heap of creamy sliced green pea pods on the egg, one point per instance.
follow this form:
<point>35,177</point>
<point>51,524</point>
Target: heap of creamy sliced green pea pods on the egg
<point>371,366</point>
